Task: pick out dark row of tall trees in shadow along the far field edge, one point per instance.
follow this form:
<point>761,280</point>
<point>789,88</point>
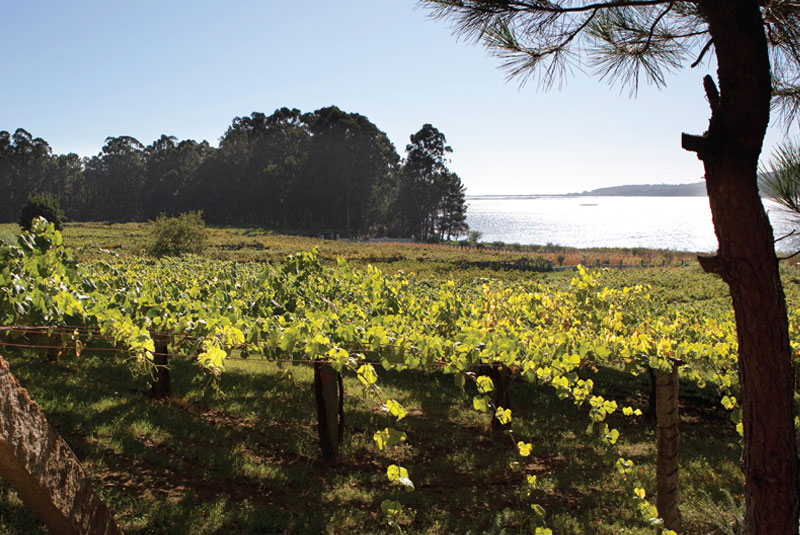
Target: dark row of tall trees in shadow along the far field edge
<point>327,170</point>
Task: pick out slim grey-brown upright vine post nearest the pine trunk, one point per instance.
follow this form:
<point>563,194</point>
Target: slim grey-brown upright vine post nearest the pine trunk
<point>667,440</point>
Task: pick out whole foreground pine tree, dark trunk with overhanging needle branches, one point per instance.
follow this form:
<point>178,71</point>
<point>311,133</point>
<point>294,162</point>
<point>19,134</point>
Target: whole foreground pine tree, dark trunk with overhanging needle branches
<point>756,44</point>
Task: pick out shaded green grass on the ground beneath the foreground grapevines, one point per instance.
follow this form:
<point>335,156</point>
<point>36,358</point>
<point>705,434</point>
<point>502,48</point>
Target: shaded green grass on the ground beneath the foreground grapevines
<point>247,460</point>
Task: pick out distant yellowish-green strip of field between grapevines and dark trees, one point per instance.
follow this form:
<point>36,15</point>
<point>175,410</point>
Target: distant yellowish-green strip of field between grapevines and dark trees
<point>258,245</point>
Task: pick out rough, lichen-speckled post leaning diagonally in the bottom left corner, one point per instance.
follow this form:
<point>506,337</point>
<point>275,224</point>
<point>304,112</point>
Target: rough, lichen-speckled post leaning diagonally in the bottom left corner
<point>44,471</point>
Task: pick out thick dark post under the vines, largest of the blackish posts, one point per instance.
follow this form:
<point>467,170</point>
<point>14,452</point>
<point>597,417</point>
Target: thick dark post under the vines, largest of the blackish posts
<point>329,392</point>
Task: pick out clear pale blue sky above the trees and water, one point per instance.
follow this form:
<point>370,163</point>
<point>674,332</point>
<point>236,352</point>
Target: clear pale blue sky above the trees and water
<point>76,72</point>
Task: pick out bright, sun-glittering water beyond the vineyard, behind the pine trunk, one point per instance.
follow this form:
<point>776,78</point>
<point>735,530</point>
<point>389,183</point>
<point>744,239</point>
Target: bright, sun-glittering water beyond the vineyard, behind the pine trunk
<point>678,223</point>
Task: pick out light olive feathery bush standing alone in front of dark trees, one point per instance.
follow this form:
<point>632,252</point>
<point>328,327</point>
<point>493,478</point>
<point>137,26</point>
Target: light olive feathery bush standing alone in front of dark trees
<point>175,236</point>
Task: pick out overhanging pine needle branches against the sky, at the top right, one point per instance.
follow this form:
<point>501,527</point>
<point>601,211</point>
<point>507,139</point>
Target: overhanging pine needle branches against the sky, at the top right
<point>621,41</point>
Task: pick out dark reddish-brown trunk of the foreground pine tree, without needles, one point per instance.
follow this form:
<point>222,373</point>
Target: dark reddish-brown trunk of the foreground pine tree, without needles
<point>746,261</point>
